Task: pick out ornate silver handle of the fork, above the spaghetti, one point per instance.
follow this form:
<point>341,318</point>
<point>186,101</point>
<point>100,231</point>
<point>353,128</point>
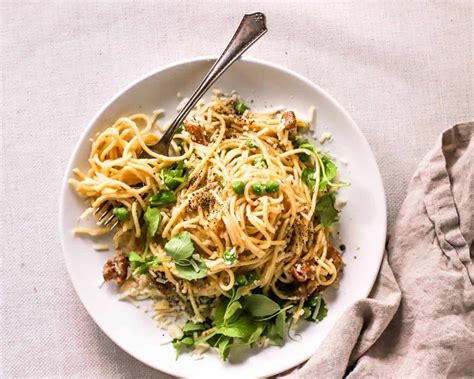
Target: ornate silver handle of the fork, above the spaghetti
<point>251,28</point>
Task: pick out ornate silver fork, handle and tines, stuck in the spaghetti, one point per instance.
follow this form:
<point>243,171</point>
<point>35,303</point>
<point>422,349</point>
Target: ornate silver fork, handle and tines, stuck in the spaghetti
<point>251,28</point>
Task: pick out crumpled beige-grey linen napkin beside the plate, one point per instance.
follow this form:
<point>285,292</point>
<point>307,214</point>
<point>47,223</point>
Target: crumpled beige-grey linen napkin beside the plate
<point>419,319</point>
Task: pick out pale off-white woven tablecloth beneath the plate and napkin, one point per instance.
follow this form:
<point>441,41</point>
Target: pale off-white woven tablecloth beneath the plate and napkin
<point>402,69</point>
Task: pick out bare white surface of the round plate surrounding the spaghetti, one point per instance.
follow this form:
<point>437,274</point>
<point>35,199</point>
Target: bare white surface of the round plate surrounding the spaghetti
<point>362,223</point>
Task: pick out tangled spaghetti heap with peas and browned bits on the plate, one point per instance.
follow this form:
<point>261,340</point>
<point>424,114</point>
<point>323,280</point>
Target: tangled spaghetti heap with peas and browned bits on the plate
<point>242,187</point>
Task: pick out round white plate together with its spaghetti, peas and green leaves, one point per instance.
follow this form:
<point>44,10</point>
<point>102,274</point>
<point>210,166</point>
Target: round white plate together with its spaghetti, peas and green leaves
<point>239,251</point>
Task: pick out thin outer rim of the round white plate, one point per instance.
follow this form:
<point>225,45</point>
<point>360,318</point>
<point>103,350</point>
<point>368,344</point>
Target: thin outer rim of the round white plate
<point>207,58</point>
